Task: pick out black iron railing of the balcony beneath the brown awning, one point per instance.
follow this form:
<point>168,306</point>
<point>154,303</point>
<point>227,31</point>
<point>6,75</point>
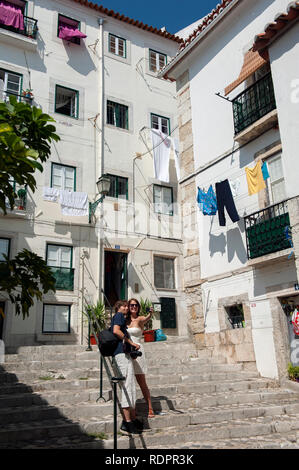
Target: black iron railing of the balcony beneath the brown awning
<point>254,103</point>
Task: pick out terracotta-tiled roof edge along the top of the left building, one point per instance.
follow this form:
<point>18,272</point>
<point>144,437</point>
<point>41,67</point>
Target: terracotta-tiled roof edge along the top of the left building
<point>128,20</point>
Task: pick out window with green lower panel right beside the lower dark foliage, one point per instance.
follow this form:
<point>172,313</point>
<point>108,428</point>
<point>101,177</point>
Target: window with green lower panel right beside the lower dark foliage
<point>60,259</point>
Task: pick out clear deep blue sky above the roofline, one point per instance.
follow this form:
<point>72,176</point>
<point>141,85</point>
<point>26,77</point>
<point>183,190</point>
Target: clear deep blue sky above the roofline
<point>172,14</point>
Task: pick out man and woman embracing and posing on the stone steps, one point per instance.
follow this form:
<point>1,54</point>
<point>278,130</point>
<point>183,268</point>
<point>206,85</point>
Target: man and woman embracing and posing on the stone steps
<point>128,326</point>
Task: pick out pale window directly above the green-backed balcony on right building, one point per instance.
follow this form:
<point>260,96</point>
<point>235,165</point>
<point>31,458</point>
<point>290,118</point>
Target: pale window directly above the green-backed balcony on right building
<point>276,184</point>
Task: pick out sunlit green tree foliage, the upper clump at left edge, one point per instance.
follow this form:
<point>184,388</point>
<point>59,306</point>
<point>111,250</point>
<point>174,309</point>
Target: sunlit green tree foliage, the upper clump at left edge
<point>25,143</point>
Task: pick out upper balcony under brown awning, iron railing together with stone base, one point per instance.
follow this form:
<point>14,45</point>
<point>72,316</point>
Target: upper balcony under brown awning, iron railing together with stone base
<point>254,110</point>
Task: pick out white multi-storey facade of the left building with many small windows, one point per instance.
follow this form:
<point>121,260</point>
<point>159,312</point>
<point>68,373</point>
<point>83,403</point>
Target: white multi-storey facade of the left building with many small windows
<point>102,90</point>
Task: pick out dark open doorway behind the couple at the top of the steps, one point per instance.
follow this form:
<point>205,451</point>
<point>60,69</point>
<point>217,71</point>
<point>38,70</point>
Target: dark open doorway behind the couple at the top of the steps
<point>116,276</point>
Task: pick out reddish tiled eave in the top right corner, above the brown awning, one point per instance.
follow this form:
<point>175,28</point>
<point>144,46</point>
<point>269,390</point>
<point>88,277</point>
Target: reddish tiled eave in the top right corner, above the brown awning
<point>272,30</point>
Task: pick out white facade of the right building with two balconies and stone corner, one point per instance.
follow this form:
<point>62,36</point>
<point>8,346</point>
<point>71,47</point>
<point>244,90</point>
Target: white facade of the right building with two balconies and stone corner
<point>237,83</point>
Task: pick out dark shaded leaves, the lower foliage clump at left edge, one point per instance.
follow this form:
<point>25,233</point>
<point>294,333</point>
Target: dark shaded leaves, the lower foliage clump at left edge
<point>22,278</point>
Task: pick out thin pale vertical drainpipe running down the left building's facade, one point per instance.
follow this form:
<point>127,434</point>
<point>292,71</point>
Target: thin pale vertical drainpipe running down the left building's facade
<point>101,164</point>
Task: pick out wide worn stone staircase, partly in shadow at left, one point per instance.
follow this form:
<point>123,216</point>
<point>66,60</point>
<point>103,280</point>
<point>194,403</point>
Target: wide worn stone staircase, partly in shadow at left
<point>49,398</point>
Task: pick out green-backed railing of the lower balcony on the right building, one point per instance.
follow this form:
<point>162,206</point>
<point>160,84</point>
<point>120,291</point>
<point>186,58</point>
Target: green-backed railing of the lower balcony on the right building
<point>268,230</point>
